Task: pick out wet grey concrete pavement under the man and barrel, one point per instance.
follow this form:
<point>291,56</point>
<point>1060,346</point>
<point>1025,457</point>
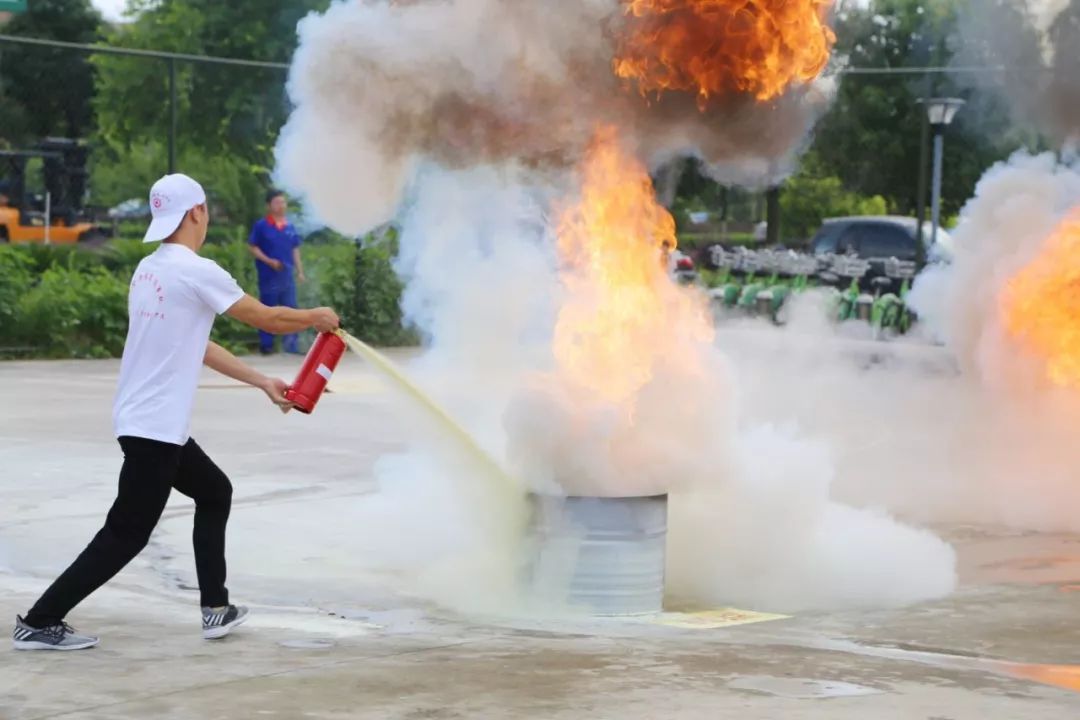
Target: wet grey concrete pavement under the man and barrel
<point>329,640</point>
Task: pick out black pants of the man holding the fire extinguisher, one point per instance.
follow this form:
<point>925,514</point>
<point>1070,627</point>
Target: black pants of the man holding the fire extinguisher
<point>151,471</point>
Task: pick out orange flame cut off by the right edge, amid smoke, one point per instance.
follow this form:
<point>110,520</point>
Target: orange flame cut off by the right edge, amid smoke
<point>1041,306</point>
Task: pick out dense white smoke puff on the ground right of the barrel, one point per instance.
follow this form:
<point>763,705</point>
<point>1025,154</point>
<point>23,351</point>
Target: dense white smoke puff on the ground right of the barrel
<point>774,538</point>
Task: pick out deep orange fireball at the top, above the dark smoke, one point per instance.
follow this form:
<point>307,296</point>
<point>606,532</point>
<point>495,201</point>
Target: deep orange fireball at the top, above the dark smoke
<point>715,48</point>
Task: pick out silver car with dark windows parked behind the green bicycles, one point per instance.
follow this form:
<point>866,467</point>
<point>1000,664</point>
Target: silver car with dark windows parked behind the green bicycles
<point>877,240</point>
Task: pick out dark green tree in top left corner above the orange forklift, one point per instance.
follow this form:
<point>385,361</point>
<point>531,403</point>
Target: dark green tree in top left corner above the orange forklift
<point>46,91</point>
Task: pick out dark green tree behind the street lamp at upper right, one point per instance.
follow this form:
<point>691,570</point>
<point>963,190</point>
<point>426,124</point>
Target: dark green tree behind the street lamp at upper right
<point>872,138</point>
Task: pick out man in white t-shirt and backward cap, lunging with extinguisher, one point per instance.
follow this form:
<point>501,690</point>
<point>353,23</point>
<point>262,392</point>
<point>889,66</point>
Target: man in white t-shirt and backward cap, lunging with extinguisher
<point>172,303</point>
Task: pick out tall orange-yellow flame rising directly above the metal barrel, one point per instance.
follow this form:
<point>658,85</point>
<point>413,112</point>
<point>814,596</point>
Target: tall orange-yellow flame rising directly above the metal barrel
<point>624,313</point>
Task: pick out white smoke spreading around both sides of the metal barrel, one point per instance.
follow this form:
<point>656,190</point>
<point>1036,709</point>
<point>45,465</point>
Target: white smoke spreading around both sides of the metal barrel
<point>754,518</point>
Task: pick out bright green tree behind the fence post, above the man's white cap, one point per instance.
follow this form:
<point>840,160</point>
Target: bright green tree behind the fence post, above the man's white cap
<point>222,110</point>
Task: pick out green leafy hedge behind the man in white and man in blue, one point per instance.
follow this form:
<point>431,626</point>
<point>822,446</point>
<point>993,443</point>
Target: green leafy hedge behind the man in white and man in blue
<point>69,302</point>
